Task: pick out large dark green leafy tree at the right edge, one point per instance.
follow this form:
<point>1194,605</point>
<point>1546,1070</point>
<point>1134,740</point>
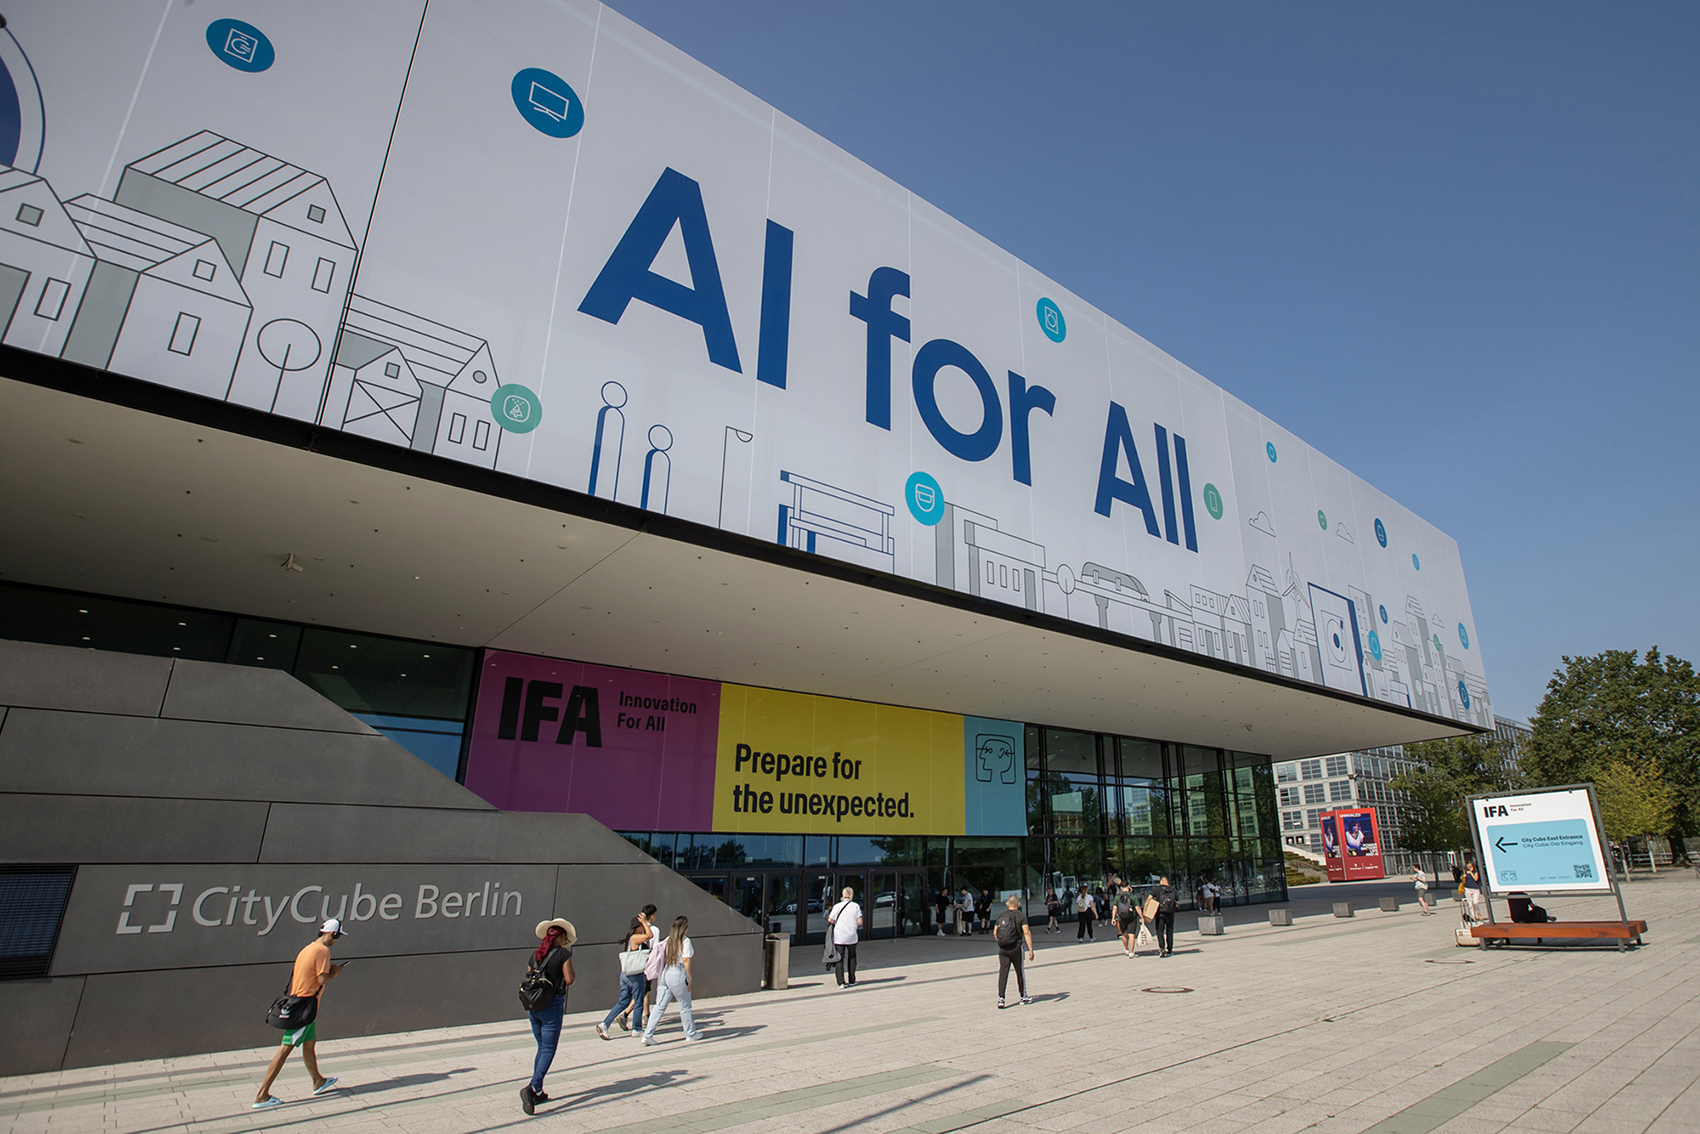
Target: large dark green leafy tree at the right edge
<point>1623,708</point>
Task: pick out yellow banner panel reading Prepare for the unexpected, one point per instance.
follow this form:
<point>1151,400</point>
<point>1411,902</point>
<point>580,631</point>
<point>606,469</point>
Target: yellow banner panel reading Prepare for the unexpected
<point>822,766</point>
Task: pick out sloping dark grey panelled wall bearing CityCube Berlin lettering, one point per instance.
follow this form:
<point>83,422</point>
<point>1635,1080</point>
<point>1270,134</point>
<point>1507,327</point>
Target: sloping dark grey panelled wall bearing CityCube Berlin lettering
<point>178,786</point>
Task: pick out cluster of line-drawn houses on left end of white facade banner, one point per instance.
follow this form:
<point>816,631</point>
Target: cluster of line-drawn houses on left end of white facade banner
<point>227,273</point>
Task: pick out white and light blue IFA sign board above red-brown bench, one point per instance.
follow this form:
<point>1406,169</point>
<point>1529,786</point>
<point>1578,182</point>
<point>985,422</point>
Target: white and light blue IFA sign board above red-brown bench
<point>1541,842</point>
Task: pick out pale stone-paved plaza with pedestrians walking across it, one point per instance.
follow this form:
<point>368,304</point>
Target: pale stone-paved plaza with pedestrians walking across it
<point>1337,1026</point>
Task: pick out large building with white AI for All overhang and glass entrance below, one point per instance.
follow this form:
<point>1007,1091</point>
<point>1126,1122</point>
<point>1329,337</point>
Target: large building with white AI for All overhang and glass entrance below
<point>626,451</point>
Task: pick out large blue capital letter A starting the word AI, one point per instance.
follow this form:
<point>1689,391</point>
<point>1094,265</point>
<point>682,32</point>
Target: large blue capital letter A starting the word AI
<point>676,200</point>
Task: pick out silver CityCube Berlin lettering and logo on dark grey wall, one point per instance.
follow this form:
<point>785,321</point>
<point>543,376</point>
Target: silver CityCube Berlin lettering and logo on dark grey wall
<point>218,907</point>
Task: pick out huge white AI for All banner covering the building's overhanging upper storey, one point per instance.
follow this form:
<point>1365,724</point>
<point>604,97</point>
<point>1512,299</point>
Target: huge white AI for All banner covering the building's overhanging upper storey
<point>535,239</point>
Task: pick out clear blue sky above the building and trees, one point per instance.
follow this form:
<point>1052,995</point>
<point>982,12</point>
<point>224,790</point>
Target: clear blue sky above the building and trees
<point>1454,247</point>
